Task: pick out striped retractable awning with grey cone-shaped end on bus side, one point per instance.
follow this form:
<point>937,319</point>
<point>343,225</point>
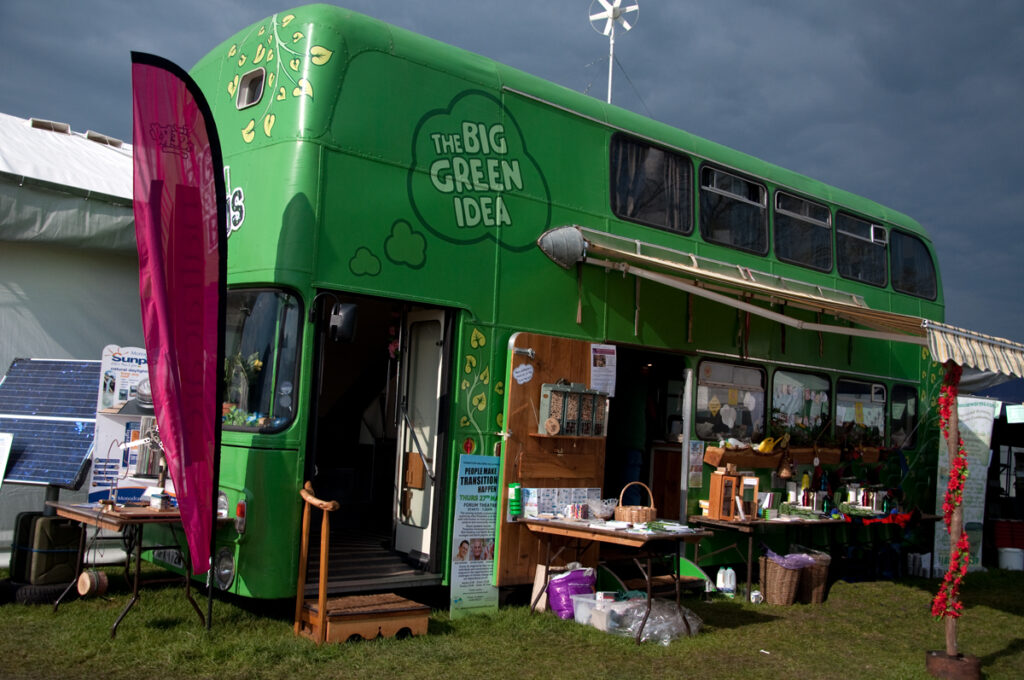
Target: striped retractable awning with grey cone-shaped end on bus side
<point>743,288</point>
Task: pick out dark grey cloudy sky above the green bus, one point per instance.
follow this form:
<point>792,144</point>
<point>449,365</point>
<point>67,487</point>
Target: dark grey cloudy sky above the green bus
<point>919,106</point>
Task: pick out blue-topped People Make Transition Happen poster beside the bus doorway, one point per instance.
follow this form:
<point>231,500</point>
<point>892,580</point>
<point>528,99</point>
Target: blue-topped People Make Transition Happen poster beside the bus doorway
<point>474,536</point>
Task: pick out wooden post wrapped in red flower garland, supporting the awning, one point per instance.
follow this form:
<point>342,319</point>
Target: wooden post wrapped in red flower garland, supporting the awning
<point>948,605</point>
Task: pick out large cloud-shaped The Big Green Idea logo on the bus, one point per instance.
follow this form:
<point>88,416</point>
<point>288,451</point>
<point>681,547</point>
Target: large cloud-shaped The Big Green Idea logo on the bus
<point>474,179</point>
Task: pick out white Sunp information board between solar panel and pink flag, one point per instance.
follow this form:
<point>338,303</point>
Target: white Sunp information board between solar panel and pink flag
<point>117,474</point>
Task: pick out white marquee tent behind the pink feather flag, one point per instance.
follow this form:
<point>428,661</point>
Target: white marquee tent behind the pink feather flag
<point>69,270</point>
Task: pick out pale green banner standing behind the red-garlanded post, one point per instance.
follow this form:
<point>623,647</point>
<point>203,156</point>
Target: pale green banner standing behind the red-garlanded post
<point>976,418</point>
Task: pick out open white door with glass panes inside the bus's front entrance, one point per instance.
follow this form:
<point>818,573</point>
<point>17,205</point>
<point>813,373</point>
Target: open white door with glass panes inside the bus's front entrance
<point>418,428</point>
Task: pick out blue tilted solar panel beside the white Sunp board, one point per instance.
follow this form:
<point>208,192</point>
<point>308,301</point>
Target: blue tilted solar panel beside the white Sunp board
<point>50,406</point>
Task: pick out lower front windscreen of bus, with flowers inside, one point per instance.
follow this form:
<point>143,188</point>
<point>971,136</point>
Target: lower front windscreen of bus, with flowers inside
<point>262,329</point>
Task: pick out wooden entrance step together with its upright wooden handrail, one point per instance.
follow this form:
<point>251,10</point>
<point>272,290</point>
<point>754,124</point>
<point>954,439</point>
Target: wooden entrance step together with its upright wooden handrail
<point>340,619</point>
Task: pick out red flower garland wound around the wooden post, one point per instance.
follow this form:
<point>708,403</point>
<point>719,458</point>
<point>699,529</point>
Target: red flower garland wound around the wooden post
<point>948,602</point>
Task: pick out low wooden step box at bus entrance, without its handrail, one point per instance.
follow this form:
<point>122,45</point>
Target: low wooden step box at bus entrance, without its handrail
<point>363,617</point>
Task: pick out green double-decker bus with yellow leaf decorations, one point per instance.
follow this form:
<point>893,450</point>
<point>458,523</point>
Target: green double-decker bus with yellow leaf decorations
<point>422,239</point>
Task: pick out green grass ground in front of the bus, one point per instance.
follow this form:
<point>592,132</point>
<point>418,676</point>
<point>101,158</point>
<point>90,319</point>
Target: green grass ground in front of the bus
<point>875,630</point>
